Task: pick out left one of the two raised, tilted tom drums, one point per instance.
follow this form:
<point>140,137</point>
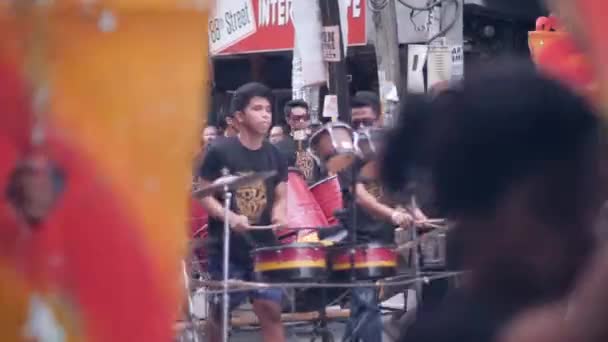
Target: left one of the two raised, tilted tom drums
<point>332,146</point>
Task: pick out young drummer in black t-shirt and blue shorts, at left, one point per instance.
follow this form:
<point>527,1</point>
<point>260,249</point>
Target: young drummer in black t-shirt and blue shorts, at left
<point>261,203</point>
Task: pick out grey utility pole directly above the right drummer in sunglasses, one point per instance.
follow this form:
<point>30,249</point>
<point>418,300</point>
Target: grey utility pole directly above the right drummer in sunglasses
<point>386,44</point>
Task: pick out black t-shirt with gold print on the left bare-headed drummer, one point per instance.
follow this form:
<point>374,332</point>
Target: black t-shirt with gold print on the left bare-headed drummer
<point>254,200</point>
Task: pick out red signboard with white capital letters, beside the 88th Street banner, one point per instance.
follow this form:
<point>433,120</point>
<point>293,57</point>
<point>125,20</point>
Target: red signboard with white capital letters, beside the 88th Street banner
<point>275,31</point>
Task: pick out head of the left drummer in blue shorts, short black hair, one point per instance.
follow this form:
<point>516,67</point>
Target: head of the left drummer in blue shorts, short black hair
<point>252,108</point>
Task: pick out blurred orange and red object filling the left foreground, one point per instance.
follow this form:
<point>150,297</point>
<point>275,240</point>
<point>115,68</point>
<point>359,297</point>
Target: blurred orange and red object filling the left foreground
<point>124,84</point>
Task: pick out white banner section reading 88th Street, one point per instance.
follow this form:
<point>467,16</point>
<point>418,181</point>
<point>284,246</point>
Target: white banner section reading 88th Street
<point>231,22</point>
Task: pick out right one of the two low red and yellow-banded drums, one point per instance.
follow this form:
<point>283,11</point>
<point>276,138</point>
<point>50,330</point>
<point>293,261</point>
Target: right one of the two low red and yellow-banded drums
<point>371,261</point>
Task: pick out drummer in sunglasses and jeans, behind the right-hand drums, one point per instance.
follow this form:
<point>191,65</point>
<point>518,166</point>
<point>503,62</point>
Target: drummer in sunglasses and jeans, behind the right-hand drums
<point>376,222</point>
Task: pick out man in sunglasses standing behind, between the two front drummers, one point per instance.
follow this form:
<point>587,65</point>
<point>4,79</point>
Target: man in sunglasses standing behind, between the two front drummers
<point>294,146</point>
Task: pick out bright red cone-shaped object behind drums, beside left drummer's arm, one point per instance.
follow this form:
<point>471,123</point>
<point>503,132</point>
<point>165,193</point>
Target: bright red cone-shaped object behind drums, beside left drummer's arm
<point>303,211</point>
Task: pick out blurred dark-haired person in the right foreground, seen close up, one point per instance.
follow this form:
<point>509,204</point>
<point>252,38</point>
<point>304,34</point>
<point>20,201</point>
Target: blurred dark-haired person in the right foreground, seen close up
<point>514,163</point>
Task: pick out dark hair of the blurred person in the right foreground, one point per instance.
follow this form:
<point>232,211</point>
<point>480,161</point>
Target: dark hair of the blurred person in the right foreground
<point>499,128</point>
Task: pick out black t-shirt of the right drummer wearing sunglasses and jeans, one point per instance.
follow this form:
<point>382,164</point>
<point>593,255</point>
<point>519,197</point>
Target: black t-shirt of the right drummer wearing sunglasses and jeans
<point>369,228</point>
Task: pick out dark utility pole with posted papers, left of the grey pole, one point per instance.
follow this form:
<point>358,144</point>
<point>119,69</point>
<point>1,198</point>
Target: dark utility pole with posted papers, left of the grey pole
<point>338,83</point>
